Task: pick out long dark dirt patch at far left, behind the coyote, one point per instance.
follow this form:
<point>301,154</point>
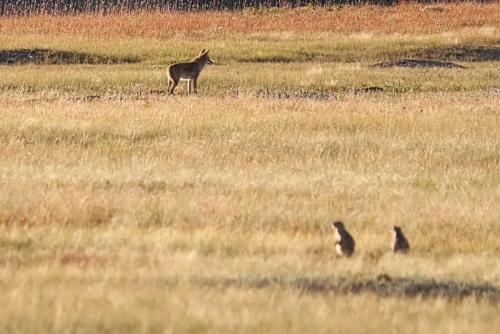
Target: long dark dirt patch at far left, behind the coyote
<point>48,56</point>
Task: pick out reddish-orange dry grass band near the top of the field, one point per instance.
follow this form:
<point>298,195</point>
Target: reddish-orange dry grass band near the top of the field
<point>406,19</point>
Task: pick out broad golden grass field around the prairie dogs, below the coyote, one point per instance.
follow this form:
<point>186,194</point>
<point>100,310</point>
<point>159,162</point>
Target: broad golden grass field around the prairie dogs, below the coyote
<point>210,213</point>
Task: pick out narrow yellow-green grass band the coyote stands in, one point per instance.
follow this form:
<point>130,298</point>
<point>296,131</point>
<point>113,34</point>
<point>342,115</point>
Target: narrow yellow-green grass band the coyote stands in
<point>315,80</point>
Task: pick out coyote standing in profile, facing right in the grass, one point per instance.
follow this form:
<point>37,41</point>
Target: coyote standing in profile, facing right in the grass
<point>187,71</point>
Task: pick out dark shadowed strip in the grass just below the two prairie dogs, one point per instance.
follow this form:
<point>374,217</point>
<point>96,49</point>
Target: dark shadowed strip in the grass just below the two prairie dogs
<point>383,286</point>
